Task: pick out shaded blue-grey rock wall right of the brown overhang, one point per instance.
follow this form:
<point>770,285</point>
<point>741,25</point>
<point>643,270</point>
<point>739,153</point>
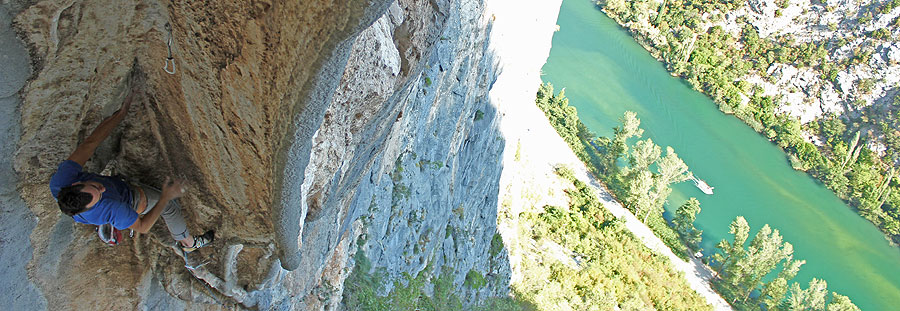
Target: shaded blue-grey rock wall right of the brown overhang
<point>423,181</point>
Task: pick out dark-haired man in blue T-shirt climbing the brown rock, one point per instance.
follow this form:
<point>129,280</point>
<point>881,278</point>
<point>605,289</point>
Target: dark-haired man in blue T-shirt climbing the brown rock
<point>96,199</point>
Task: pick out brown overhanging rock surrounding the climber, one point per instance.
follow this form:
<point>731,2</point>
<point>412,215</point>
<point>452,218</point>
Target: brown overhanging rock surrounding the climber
<point>244,71</point>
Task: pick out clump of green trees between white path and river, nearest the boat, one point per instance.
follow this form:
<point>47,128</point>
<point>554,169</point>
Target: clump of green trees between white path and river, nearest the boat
<point>643,183</point>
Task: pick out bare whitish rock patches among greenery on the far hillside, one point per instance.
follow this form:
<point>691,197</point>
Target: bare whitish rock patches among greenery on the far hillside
<point>845,29</point>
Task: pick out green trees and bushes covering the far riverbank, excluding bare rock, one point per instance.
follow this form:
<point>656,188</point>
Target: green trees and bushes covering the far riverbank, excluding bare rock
<point>682,34</point>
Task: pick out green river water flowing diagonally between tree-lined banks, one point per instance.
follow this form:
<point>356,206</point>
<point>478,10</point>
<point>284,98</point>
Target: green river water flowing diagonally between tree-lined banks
<point>605,72</point>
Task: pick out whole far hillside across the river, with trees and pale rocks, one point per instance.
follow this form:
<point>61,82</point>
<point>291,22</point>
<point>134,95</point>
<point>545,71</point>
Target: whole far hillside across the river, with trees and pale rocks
<point>818,78</point>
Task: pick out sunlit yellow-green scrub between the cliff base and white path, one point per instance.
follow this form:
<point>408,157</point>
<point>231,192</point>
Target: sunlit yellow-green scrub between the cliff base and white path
<point>609,267</point>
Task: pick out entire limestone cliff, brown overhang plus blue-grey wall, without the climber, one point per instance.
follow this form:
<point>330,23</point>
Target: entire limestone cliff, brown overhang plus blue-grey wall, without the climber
<point>300,126</point>
